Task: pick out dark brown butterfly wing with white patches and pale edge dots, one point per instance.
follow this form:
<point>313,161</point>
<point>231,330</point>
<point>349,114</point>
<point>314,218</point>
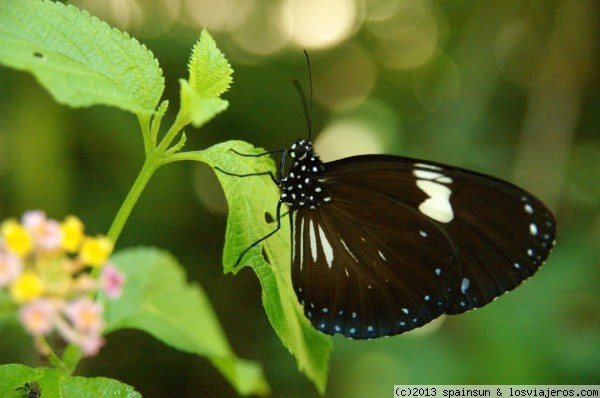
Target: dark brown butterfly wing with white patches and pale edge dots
<point>403,241</point>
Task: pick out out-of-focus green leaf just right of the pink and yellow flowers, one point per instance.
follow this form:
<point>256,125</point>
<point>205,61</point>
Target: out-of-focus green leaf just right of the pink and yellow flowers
<point>158,300</point>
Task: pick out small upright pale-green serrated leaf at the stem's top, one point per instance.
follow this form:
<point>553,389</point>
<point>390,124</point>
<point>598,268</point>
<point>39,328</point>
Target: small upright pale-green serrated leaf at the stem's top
<point>210,73</point>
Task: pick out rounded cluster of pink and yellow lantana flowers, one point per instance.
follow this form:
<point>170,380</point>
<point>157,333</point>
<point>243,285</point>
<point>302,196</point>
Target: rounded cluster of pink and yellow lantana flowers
<point>46,267</point>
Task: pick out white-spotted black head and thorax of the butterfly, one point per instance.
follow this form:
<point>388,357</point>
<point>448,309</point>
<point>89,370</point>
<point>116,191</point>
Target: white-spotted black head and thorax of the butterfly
<point>302,187</point>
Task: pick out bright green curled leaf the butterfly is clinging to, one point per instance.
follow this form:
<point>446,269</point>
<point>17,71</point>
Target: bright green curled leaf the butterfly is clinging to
<point>249,200</point>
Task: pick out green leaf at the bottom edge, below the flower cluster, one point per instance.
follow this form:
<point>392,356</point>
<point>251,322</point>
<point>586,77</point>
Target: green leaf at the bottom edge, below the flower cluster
<point>53,384</point>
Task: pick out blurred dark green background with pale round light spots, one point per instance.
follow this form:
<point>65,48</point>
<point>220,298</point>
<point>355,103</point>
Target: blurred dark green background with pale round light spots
<point>506,88</point>
